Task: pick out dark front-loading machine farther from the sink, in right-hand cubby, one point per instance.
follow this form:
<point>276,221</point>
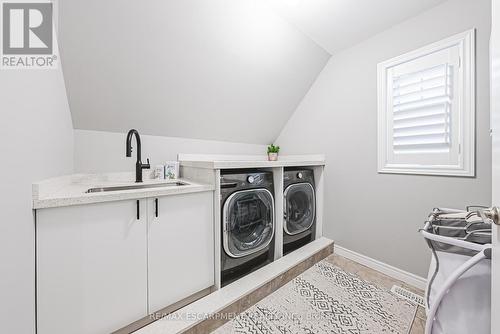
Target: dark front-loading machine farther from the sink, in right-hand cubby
<point>299,209</point>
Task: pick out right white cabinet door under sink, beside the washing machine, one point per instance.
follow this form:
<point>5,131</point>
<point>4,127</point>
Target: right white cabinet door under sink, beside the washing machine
<point>181,248</point>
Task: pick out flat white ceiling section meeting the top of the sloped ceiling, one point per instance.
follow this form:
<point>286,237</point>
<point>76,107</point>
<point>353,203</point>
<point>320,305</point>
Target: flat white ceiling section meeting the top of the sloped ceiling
<point>339,24</point>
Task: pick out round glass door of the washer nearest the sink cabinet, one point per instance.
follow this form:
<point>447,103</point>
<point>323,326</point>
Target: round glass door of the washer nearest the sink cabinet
<point>248,218</point>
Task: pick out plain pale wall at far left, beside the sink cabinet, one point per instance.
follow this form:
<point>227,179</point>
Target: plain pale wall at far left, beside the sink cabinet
<point>37,143</point>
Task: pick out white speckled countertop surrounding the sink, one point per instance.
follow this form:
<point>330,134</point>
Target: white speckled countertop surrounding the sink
<point>71,189</point>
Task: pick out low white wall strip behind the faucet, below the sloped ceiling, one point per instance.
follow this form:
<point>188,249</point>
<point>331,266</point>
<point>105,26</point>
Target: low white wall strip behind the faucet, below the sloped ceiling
<point>97,151</point>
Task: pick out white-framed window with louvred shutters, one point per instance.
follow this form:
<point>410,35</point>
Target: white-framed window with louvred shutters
<point>426,109</point>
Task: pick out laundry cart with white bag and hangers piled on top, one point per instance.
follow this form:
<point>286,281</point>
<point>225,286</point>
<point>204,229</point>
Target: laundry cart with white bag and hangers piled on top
<point>458,293</point>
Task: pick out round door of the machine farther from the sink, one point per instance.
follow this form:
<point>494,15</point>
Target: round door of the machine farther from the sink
<point>299,207</point>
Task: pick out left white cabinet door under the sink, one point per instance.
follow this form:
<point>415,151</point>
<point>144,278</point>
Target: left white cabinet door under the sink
<point>91,267</point>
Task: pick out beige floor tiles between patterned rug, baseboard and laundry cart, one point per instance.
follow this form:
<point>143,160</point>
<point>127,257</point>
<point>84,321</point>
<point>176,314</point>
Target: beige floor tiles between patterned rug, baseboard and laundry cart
<point>418,326</point>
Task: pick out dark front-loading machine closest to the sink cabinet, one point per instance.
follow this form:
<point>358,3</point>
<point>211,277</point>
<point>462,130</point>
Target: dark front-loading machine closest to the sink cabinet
<point>248,226</point>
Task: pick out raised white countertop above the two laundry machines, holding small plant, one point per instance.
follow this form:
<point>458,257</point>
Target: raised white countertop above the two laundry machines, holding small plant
<point>248,161</point>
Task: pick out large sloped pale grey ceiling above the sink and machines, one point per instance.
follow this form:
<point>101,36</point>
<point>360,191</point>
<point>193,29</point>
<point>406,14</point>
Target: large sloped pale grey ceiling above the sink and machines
<point>228,70</point>
